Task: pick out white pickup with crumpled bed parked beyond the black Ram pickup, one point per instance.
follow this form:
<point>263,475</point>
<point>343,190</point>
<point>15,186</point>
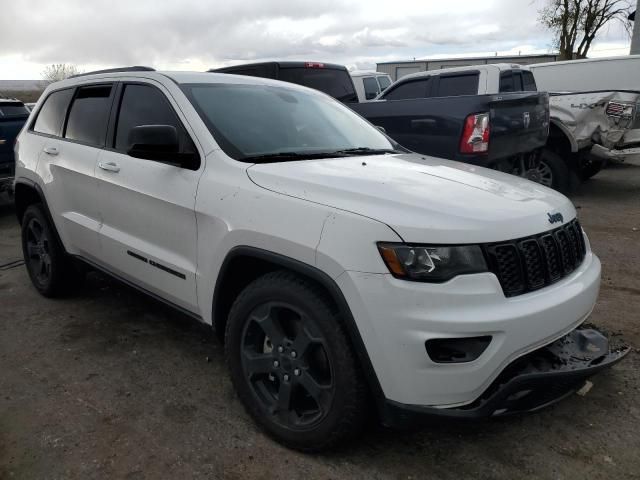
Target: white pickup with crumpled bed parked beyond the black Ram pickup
<point>585,127</point>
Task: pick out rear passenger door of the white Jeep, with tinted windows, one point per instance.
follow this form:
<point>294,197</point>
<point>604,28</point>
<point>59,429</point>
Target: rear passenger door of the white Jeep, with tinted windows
<point>68,160</point>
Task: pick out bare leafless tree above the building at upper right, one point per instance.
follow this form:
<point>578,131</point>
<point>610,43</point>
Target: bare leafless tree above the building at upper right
<point>576,23</point>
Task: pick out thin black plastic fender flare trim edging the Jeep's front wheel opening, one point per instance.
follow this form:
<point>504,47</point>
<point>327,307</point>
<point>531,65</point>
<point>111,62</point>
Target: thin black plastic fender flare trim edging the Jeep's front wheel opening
<point>329,285</point>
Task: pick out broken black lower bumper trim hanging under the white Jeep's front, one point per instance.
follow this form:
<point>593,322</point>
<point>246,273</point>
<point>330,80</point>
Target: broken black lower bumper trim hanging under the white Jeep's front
<point>533,381</point>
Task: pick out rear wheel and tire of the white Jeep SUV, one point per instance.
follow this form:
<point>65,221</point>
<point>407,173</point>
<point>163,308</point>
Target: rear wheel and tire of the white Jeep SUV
<point>50,269</point>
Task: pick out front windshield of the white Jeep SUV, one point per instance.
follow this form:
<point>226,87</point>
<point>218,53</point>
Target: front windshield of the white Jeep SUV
<point>250,121</point>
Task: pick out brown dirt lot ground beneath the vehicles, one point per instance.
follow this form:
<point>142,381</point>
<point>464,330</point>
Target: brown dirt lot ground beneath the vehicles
<point>110,384</point>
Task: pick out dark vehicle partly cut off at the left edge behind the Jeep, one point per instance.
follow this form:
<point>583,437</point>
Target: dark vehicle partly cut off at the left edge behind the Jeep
<point>13,115</point>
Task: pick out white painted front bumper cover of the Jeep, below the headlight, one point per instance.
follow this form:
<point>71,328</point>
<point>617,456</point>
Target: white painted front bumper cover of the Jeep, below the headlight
<point>397,318</point>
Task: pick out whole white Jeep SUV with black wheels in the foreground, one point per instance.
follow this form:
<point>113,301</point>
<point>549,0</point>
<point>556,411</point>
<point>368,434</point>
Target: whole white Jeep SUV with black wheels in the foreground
<point>345,274</point>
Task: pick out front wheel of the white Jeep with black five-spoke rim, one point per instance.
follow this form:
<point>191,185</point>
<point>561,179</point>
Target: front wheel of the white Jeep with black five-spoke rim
<point>292,364</point>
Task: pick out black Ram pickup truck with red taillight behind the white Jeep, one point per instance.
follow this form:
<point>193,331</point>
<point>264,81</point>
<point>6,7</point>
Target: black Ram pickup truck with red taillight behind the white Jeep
<point>443,117</point>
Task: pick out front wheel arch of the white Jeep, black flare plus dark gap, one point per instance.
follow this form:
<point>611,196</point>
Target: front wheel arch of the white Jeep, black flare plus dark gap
<point>243,264</point>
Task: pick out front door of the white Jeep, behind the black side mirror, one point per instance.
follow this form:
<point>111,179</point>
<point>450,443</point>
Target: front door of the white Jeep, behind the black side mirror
<point>149,231</point>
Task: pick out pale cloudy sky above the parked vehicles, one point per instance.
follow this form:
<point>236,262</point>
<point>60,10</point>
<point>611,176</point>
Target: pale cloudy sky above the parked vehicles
<point>201,34</point>
